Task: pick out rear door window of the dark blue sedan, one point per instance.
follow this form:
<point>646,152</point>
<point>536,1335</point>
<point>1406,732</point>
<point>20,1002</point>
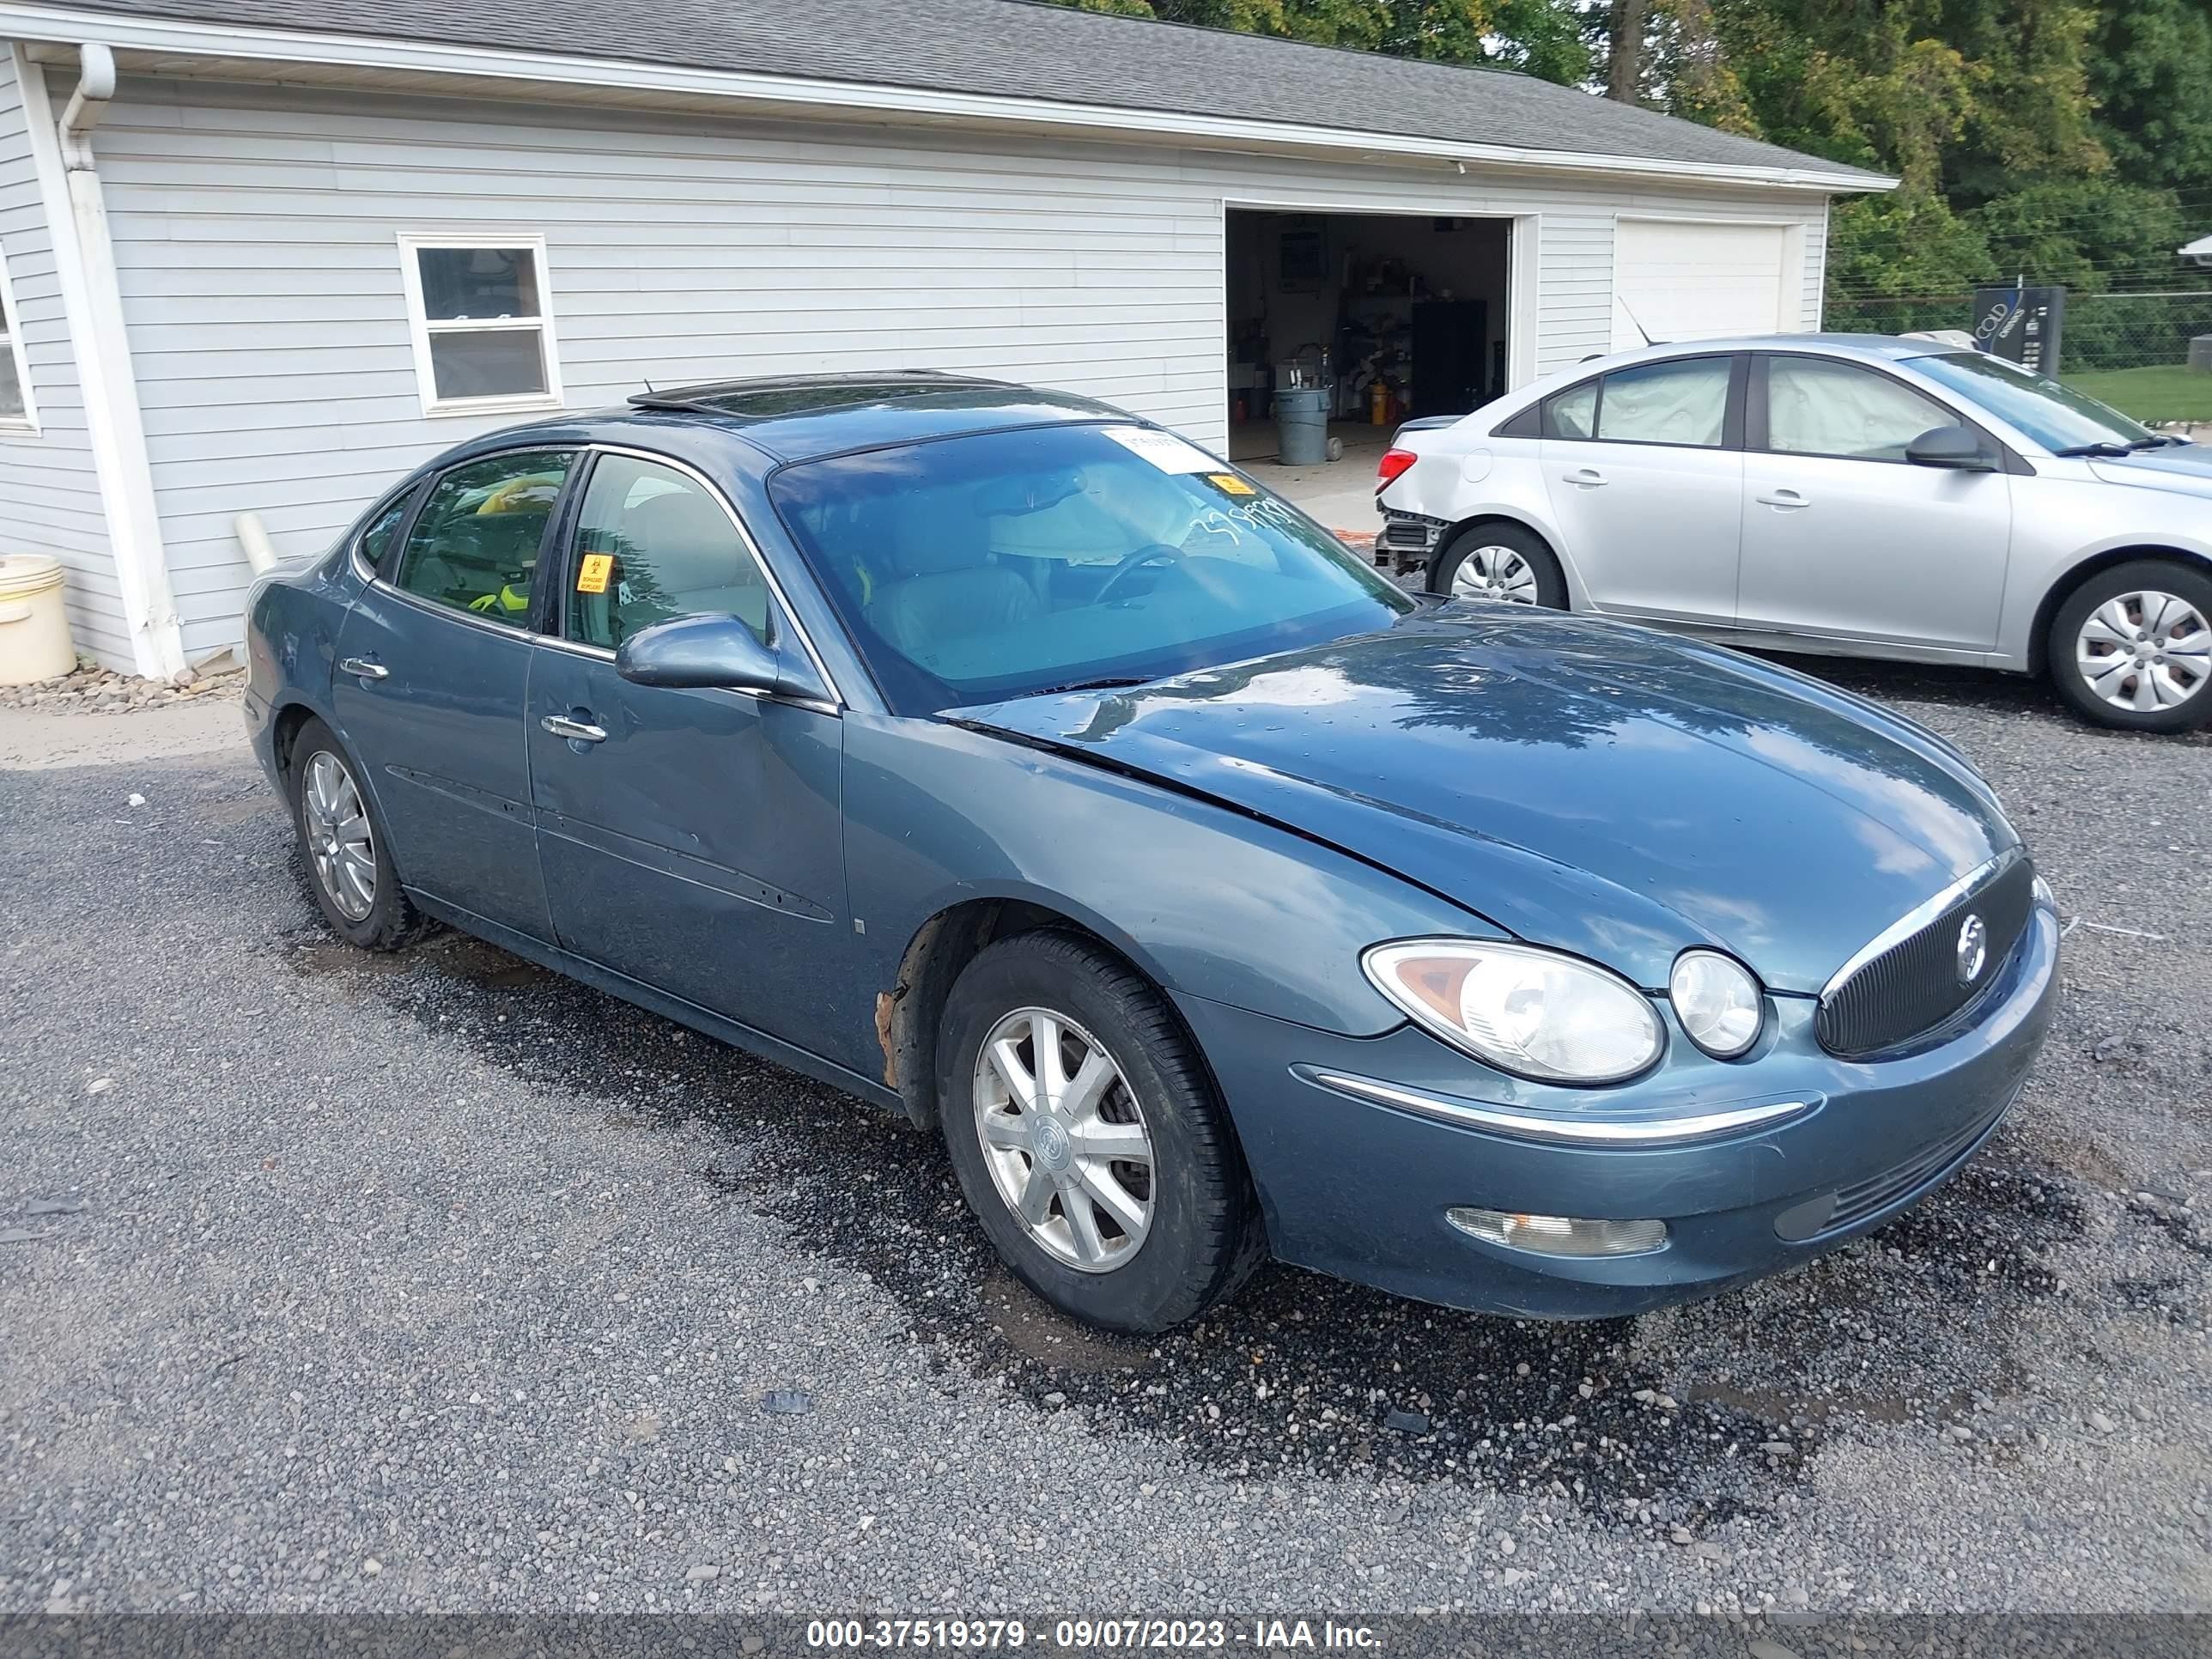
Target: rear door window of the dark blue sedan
<point>474,545</point>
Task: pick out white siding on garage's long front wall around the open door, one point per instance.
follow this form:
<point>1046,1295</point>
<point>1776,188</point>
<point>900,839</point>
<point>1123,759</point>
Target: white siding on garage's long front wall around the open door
<point>255,238</point>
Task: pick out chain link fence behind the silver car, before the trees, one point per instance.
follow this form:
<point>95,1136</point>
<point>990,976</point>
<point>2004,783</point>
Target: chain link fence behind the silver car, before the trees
<point>2131,351</point>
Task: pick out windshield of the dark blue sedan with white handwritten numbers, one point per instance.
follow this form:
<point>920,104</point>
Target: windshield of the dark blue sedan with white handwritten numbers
<point>1021,563</point>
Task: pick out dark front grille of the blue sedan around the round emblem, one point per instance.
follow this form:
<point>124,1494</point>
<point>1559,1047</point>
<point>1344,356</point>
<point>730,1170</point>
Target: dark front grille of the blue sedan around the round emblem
<point>1912,985</point>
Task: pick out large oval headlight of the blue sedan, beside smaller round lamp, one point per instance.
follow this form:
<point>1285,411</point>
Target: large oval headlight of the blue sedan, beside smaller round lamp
<point>1530,1012</point>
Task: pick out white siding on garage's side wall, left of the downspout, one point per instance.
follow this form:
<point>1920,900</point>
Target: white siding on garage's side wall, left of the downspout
<point>50,494</point>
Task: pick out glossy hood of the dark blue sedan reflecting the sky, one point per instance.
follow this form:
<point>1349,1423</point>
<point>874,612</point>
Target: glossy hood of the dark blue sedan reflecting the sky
<point>1578,784</point>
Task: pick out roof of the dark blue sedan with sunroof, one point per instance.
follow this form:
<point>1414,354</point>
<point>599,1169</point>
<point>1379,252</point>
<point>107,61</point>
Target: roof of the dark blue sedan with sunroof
<point>822,415</point>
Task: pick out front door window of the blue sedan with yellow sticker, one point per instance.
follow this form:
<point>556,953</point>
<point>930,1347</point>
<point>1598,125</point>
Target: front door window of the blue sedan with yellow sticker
<point>654,545</point>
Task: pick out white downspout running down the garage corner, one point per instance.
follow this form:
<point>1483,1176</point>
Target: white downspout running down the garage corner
<point>85,267</point>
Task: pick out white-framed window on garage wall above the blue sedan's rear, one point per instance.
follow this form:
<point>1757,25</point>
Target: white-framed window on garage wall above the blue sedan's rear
<point>483,324</point>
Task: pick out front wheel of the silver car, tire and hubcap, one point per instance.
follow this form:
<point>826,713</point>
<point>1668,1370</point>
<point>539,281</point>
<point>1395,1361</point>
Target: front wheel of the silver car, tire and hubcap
<point>2162,605</point>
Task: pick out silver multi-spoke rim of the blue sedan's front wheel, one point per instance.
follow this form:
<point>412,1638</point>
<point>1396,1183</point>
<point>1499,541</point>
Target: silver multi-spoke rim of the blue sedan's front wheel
<point>1065,1140</point>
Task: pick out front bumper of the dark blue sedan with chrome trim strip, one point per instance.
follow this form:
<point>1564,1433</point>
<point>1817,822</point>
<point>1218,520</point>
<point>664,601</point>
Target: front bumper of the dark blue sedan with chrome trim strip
<point>1355,1187</point>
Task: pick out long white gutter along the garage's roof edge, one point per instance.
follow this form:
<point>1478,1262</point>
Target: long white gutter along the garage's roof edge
<point>864,101</point>
